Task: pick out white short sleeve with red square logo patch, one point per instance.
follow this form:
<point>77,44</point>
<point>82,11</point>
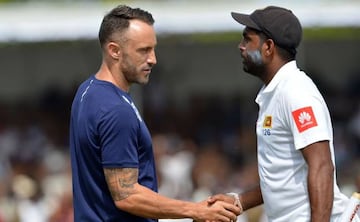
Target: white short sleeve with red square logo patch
<point>308,118</point>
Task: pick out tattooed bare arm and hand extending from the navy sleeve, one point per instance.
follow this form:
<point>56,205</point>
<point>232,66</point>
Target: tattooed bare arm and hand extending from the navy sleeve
<point>131,197</point>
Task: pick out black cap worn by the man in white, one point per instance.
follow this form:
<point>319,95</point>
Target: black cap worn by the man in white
<point>277,23</point>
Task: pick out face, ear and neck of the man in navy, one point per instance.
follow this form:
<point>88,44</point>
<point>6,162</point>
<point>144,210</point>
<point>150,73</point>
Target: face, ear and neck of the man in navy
<point>125,64</point>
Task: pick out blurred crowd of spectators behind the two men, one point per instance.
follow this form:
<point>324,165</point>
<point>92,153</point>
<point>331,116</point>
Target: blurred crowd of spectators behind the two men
<point>203,146</point>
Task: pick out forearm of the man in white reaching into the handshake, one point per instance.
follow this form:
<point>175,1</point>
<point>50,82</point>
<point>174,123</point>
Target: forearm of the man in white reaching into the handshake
<point>251,198</point>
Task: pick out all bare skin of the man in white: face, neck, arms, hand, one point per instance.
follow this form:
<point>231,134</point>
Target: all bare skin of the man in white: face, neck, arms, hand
<point>317,155</point>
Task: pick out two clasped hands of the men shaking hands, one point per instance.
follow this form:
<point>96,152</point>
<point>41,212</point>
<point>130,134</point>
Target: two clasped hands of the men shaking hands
<point>220,208</point>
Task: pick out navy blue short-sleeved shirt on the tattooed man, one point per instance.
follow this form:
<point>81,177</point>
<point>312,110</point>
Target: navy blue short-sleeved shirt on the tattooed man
<point>106,131</point>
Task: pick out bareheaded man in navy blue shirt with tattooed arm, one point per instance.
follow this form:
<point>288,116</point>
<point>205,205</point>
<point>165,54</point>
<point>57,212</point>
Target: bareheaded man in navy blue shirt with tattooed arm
<point>114,176</point>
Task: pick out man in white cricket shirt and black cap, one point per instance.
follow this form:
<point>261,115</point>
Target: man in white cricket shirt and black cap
<point>294,131</point>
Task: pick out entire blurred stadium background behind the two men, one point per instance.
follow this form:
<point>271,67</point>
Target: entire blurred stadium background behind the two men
<point>199,104</point>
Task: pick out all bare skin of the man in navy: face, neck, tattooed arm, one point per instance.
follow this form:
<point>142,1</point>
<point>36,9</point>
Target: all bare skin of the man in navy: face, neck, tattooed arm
<point>129,60</point>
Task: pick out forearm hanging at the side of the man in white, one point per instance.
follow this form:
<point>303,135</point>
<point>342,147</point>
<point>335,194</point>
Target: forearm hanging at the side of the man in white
<point>321,192</point>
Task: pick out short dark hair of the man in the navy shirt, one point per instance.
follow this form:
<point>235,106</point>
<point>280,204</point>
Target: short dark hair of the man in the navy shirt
<point>117,20</point>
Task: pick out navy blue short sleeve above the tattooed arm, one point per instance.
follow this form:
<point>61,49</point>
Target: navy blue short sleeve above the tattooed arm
<point>118,137</point>
